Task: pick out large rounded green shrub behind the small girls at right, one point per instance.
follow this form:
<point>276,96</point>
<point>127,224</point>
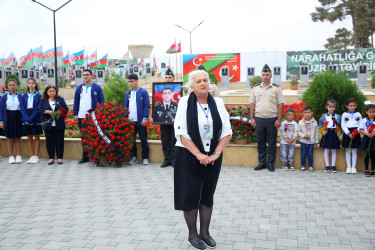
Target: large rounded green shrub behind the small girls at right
<point>334,85</point>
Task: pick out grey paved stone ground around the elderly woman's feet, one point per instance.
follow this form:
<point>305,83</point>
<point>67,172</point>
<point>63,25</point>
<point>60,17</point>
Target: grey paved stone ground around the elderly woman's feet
<point>75,207</point>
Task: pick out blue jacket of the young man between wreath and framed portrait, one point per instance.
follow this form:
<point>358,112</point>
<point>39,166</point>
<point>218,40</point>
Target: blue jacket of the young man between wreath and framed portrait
<point>143,103</point>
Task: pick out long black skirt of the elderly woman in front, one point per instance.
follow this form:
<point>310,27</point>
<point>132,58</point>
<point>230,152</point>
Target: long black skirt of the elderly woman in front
<point>191,187</point>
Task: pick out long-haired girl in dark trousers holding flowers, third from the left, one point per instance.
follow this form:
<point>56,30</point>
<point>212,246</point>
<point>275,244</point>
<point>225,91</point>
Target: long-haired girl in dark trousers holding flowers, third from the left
<point>54,130</point>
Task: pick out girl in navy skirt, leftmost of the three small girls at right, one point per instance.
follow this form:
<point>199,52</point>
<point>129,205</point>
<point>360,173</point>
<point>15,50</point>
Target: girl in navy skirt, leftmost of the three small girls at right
<point>329,125</point>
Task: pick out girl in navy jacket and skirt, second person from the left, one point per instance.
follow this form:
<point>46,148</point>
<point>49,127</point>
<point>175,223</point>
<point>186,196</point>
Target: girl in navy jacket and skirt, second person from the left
<point>31,120</point>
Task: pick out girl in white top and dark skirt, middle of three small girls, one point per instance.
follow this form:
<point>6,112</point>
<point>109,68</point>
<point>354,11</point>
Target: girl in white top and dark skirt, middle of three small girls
<point>351,138</point>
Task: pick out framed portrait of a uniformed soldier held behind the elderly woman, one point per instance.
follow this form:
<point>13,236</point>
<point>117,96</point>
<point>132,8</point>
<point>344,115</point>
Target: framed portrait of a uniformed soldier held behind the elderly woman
<point>165,98</point>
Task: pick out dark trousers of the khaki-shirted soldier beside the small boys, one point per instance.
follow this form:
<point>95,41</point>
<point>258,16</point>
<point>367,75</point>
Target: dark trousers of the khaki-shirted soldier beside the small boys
<point>266,133</point>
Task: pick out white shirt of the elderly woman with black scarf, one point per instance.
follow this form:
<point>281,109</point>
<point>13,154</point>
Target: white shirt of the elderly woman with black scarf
<point>180,123</point>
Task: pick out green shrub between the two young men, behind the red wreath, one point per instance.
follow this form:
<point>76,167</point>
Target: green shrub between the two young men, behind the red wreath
<point>114,90</point>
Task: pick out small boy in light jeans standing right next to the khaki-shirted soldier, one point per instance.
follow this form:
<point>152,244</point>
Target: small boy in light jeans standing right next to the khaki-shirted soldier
<point>288,134</point>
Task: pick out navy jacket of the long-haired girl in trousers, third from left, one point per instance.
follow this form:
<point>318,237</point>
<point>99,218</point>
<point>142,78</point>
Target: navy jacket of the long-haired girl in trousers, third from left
<point>43,106</point>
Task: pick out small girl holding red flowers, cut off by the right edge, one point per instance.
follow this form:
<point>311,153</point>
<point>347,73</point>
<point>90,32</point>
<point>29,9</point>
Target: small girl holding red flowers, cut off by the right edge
<point>367,128</point>
